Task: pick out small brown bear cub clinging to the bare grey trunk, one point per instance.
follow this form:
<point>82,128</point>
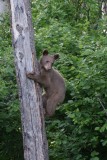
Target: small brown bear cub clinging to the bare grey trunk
<point>52,82</point>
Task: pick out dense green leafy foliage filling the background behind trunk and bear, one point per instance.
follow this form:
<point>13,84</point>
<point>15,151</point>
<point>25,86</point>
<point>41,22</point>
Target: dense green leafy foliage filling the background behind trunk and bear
<point>77,31</point>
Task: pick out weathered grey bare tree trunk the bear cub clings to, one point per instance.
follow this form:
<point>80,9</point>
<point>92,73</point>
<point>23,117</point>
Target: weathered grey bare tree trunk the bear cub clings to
<point>34,137</point>
